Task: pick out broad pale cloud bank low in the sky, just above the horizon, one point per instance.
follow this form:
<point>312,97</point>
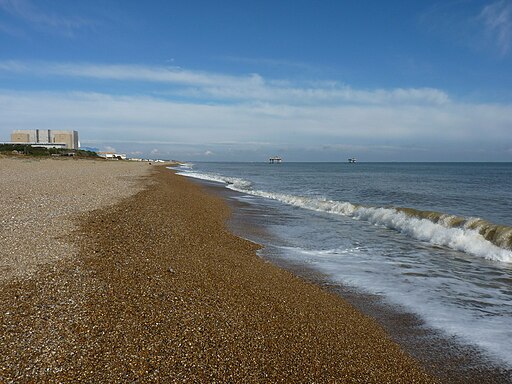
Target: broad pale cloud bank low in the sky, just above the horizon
<point>121,118</point>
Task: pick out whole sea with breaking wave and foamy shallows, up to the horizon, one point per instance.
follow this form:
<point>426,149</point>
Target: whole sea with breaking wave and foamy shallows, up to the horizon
<point>434,239</point>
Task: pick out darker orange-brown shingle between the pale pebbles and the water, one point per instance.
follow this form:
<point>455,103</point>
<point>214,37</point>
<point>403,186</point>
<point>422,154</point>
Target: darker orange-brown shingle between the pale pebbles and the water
<point>159,291</point>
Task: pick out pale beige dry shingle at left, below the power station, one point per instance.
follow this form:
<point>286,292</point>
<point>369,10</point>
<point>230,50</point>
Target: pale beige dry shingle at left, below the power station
<point>41,199</point>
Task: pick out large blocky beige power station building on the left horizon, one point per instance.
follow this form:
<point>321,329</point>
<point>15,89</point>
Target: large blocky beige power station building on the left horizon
<point>46,138</point>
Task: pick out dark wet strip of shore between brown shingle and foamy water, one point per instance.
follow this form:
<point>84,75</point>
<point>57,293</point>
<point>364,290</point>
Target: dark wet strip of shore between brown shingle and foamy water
<point>448,358</point>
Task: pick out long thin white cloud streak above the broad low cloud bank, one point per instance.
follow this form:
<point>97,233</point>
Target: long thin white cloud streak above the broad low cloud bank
<point>219,87</point>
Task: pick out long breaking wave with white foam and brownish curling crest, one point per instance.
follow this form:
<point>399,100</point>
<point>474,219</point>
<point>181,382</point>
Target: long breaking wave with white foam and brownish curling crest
<point>471,235</point>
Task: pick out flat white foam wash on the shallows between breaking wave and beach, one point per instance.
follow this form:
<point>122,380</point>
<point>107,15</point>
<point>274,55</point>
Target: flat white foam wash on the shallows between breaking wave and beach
<point>343,265</point>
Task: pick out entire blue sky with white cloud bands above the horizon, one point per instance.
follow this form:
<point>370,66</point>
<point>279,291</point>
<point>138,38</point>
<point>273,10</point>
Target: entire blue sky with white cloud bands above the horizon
<point>245,80</point>
